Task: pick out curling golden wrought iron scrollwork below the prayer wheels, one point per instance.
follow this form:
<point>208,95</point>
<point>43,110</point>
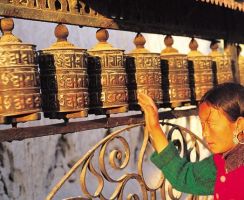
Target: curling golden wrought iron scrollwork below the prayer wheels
<point>186,143</point>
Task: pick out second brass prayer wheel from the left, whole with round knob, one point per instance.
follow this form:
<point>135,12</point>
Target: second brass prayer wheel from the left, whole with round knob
<point>64,79</point>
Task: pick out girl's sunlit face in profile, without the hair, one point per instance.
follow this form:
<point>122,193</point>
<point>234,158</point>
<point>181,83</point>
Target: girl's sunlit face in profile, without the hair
<point>217,129</point>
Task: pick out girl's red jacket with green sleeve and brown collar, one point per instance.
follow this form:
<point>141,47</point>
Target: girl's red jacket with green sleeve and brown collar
<point>219,174</point>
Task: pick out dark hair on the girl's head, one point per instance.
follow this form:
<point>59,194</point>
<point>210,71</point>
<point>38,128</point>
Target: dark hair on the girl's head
<point>227,96</point>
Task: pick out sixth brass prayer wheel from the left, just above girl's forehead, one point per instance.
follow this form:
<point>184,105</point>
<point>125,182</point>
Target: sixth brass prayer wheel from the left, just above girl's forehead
<point>200,71</point>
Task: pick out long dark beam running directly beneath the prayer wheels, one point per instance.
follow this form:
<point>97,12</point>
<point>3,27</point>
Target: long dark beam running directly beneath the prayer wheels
<point>64,128</point>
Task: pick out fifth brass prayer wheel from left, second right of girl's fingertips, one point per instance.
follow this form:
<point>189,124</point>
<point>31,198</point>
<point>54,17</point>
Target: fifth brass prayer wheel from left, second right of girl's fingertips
<point>176,89</point>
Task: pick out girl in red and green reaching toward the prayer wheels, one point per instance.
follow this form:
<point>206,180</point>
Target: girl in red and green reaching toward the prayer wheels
<point>221,112</point>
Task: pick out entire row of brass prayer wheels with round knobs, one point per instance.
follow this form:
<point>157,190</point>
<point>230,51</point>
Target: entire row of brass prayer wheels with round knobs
<point>102,80</point>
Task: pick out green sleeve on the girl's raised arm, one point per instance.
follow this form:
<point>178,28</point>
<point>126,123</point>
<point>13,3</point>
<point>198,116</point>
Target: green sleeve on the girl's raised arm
<point>188,177</point>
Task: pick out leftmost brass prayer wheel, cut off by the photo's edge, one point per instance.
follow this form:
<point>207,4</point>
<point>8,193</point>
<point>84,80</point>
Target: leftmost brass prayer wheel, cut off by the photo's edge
<point>19,79</point>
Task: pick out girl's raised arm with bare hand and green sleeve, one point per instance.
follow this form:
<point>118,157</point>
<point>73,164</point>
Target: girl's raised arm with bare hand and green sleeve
<point>195,178</point>
